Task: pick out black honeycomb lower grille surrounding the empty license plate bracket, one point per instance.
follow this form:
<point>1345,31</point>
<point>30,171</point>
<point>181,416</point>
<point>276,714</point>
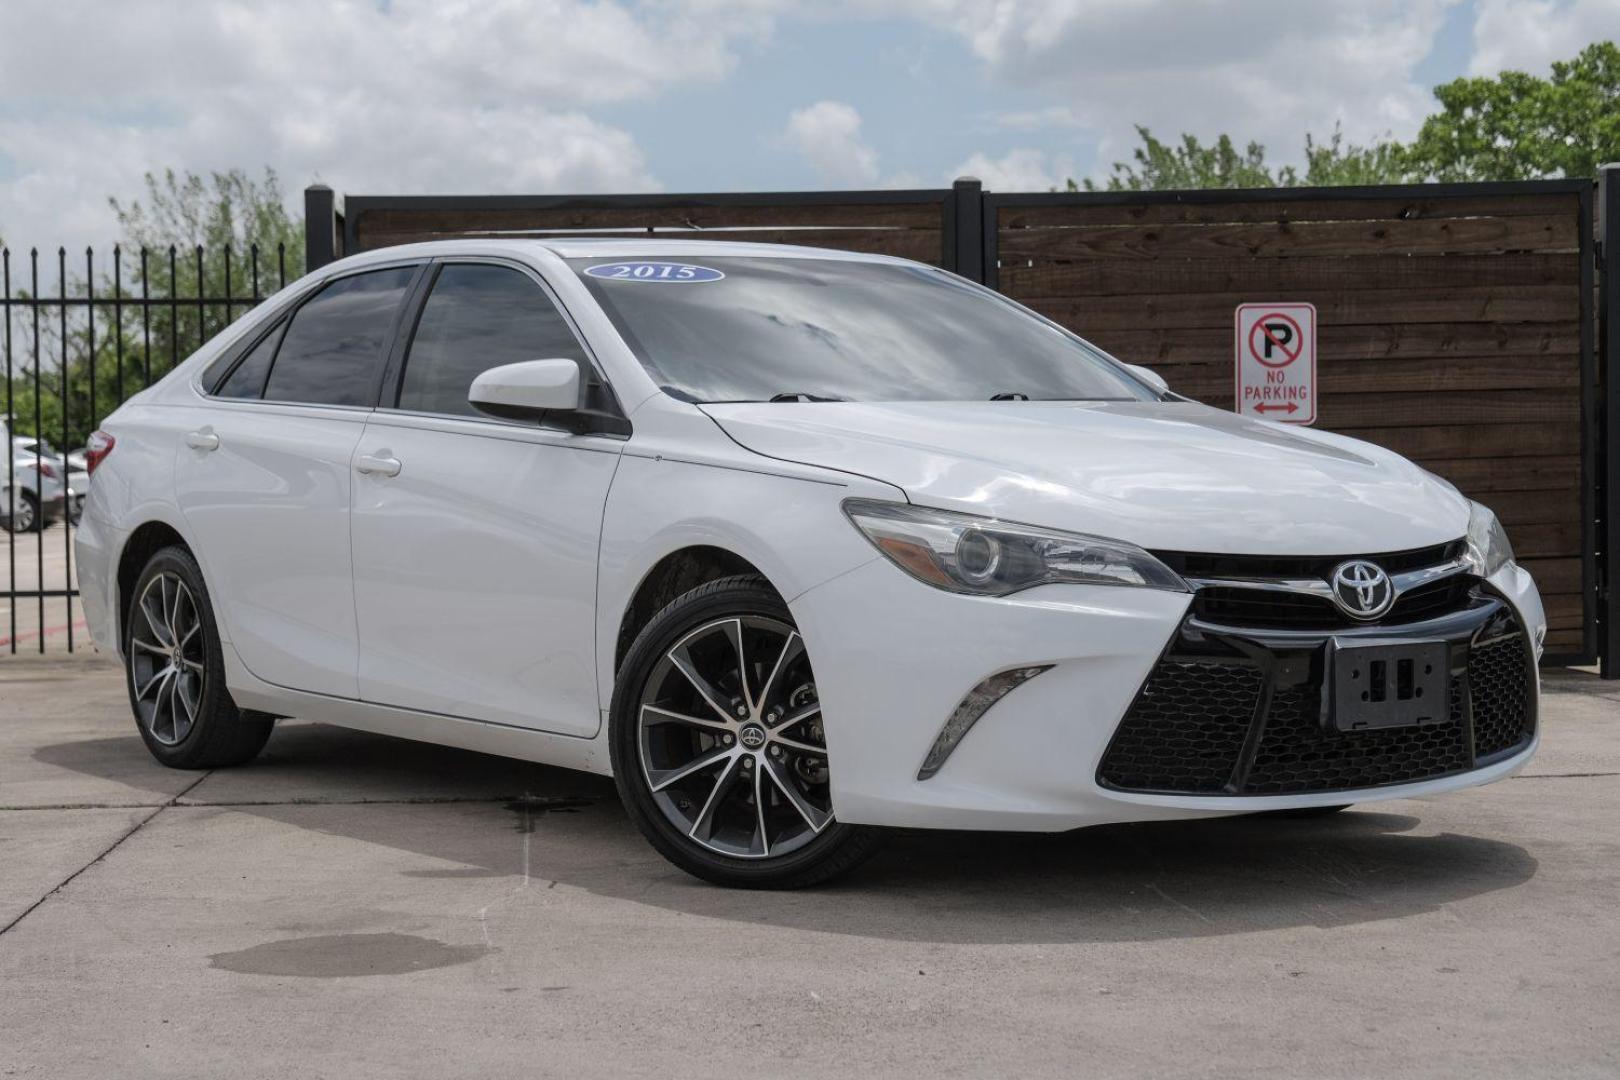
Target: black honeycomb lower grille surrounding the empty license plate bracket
<point>1224,716</point>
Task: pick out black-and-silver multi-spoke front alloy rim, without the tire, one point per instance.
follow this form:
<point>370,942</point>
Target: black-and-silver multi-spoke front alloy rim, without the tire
<point>731,739</point>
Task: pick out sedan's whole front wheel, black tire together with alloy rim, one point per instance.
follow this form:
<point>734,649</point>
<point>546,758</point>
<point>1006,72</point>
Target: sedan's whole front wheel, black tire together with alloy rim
<point>718,747</point>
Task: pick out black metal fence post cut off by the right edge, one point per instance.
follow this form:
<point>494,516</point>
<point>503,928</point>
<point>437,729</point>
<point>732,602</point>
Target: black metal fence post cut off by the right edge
<point>1609,378</point>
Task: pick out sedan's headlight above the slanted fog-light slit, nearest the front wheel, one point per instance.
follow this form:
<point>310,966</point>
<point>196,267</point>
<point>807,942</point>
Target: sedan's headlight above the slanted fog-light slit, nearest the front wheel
<point>987,558</point>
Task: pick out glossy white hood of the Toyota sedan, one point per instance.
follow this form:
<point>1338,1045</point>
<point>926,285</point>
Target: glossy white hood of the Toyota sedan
<point>1169,477</point>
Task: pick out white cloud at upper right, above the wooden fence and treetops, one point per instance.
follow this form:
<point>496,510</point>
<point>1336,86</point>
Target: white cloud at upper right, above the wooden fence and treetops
<point>1266,70</point>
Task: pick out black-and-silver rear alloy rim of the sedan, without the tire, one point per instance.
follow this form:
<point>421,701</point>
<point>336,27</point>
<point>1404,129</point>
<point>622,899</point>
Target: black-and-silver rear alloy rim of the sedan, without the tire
<point>168,660</point>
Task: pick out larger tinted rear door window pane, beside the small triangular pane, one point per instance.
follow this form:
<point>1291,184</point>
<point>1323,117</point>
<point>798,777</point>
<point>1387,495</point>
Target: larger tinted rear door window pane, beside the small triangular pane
<point>333,351</point>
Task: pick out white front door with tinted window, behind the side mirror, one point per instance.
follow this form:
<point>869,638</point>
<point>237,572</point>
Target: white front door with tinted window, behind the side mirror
<point>475,543</point>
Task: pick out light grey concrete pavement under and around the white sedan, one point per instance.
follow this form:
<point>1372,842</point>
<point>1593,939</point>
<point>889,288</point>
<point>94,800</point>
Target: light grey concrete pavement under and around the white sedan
<point>356,906</point>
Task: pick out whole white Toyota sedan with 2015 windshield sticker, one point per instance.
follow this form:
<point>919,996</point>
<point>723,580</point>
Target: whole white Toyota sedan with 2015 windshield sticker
<point>795,545</point>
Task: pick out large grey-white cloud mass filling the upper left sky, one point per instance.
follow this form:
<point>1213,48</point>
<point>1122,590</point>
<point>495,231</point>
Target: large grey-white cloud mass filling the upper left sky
<point>412,96</point>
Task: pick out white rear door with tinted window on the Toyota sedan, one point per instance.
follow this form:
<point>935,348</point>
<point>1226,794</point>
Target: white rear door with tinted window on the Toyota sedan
<point>265,480</point>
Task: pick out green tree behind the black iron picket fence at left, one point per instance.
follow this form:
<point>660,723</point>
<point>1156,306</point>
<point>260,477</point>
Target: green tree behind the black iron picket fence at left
<point>198,236</point>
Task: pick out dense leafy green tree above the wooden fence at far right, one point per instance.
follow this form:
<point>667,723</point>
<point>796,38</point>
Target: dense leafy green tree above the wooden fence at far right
<point>1520,127</point>
